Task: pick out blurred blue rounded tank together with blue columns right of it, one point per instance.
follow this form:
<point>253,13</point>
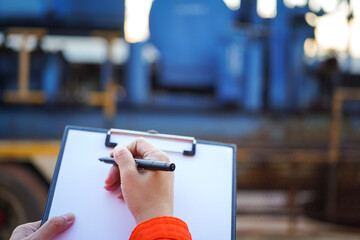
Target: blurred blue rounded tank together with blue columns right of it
<point>201,48</point>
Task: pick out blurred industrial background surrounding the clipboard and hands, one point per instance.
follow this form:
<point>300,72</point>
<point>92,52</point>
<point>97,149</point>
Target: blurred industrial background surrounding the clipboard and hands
<point>279,78</point>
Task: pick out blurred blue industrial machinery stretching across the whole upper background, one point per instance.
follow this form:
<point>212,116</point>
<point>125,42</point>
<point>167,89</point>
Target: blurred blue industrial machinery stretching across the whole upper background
<point>235,57</point>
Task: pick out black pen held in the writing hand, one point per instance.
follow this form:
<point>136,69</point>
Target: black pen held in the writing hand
<point>144,164</point>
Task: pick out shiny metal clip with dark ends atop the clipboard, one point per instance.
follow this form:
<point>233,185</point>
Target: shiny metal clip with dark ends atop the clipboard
<point>151,135</point>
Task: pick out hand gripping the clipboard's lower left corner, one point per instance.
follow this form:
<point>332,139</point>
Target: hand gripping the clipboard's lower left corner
<point>54,226</point>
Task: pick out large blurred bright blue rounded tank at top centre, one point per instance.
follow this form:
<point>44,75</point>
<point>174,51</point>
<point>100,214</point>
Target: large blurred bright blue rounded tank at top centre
<point>189,35</point>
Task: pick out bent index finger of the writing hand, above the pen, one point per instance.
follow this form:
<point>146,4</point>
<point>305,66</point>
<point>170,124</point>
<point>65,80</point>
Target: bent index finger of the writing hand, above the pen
<point>148,151</point>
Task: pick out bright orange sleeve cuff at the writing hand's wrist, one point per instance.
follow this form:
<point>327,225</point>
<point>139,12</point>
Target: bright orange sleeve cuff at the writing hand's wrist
<point>161,228</point>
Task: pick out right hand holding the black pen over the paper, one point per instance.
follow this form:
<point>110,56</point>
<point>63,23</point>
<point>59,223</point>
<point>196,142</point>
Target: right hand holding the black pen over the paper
<point>148,194</point>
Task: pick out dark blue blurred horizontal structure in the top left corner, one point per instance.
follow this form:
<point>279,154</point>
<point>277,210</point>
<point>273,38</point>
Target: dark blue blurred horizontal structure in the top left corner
<point>63,16</point>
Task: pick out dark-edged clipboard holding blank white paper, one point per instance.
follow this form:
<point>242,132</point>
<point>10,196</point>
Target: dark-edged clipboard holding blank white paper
<point>204,190</point>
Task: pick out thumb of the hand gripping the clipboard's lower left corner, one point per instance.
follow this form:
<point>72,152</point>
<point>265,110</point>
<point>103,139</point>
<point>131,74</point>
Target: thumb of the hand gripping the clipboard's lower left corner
<point>54,226</point>
